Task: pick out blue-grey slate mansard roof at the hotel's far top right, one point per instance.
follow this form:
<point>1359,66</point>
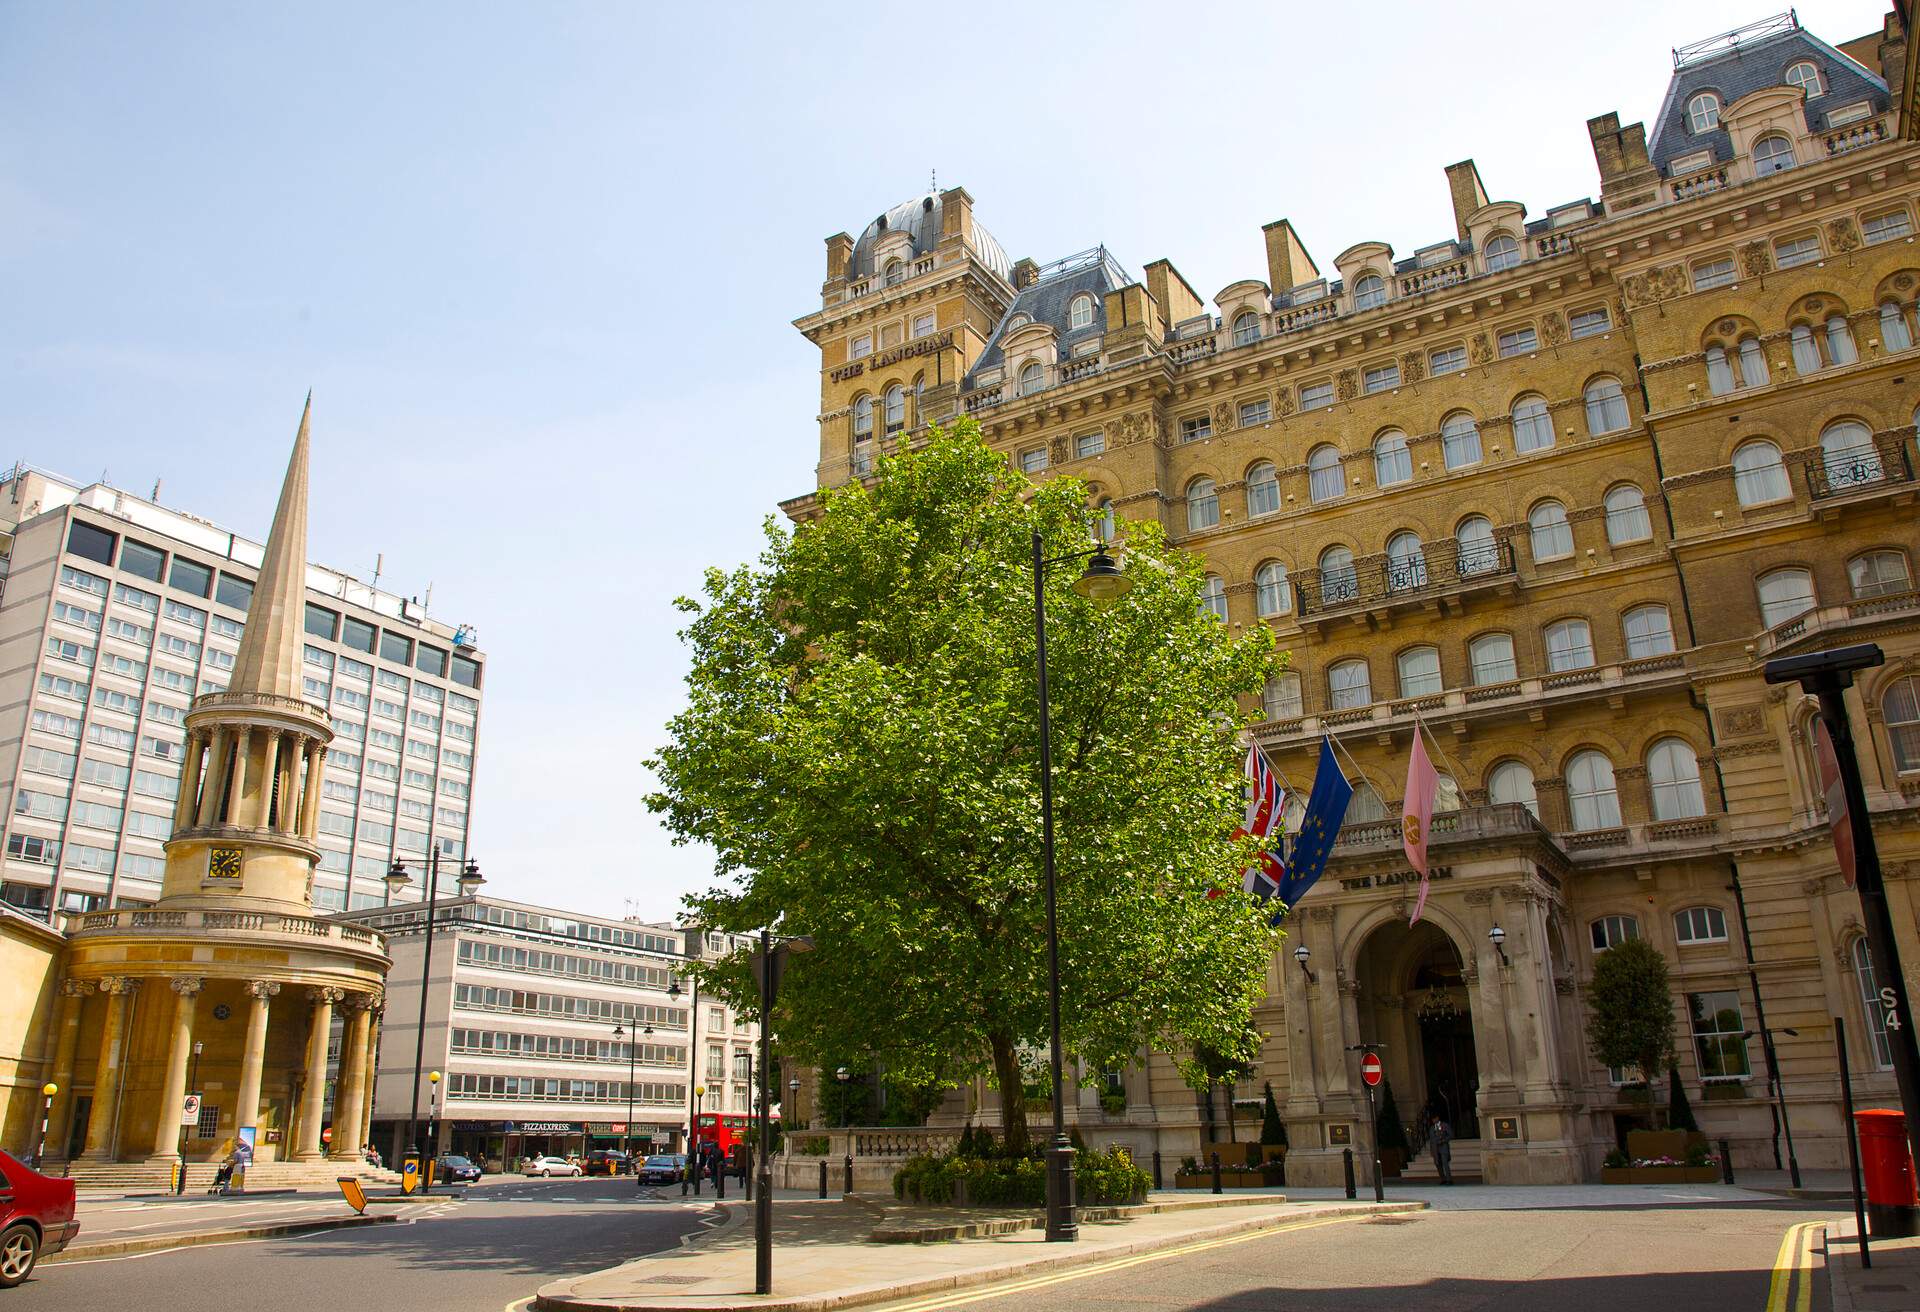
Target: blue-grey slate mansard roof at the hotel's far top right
<point>1744,70</point>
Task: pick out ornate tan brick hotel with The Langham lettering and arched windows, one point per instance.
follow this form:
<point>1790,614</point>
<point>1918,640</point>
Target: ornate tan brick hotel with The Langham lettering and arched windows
<point>1556,489</point>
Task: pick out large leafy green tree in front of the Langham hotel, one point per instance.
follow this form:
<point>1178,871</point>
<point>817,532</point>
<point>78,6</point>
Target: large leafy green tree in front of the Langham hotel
<point>859,750</point>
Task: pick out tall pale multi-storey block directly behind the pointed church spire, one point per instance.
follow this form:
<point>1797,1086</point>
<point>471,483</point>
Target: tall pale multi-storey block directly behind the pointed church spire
<point>116,614</point>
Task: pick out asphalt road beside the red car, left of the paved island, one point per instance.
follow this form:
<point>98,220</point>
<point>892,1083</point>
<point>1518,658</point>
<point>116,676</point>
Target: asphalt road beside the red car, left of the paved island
<point>469,1257</point>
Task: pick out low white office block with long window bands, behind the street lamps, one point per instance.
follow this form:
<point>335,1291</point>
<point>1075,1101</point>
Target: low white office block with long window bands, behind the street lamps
<point>537,1017</point>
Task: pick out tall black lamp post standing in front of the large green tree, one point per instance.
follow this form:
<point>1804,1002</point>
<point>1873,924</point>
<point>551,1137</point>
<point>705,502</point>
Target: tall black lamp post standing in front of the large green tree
<point>1099,583</point>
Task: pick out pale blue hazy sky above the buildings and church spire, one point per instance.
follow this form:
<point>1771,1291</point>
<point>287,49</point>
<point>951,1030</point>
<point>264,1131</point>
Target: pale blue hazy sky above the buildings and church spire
<point>539,264</point>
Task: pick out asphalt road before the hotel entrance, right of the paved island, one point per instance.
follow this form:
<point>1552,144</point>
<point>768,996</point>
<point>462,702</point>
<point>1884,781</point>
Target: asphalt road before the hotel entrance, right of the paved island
<point>1620,1259</point>
